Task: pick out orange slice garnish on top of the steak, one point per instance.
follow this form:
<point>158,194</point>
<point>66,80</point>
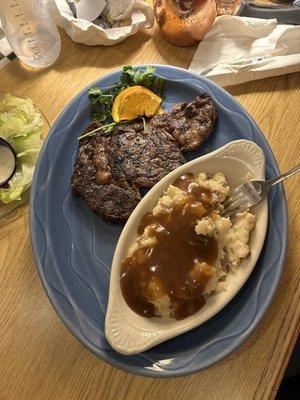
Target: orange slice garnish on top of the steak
<point>134,102</point>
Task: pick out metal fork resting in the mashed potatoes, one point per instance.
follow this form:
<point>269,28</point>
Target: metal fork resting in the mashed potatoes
<point>250,193</point>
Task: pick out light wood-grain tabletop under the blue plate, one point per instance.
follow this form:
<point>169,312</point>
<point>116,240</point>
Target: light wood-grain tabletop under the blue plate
<point>39,357</point>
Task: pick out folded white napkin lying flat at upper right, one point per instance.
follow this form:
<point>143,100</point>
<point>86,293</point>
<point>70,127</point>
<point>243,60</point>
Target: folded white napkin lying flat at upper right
<point>240,49</point>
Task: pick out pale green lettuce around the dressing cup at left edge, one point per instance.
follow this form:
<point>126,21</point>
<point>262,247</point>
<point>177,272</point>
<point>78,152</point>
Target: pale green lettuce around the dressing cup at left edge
<point>21,125</point>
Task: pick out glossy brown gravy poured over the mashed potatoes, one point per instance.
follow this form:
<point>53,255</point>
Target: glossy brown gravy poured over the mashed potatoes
<point>168,267</point>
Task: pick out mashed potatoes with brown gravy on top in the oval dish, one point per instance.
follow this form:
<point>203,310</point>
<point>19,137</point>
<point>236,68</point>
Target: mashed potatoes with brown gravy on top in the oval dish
<point>226,238</point>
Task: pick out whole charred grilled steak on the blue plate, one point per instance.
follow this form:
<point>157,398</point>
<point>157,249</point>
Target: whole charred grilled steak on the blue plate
<point>111,168</point>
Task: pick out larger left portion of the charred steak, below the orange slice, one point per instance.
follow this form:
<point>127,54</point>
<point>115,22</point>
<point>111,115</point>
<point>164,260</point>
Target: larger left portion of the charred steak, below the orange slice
<point>109,169</point>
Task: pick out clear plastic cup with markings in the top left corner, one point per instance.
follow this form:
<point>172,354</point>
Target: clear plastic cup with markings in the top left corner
<point>30,31</point>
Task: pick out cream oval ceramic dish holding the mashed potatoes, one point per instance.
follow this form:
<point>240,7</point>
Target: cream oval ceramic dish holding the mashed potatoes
<point>129,333</point>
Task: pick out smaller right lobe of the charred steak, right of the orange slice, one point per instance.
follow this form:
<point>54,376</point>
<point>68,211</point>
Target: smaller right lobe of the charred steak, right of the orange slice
<point>189,123</point>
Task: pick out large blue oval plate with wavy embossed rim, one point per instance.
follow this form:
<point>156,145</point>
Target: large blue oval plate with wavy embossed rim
<point>73,247</point>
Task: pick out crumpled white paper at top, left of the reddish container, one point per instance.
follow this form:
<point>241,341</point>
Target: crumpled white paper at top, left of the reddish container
<point>139,13</point>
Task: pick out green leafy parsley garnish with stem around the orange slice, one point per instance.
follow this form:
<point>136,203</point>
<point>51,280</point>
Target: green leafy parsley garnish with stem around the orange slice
<point>102,102</point>
